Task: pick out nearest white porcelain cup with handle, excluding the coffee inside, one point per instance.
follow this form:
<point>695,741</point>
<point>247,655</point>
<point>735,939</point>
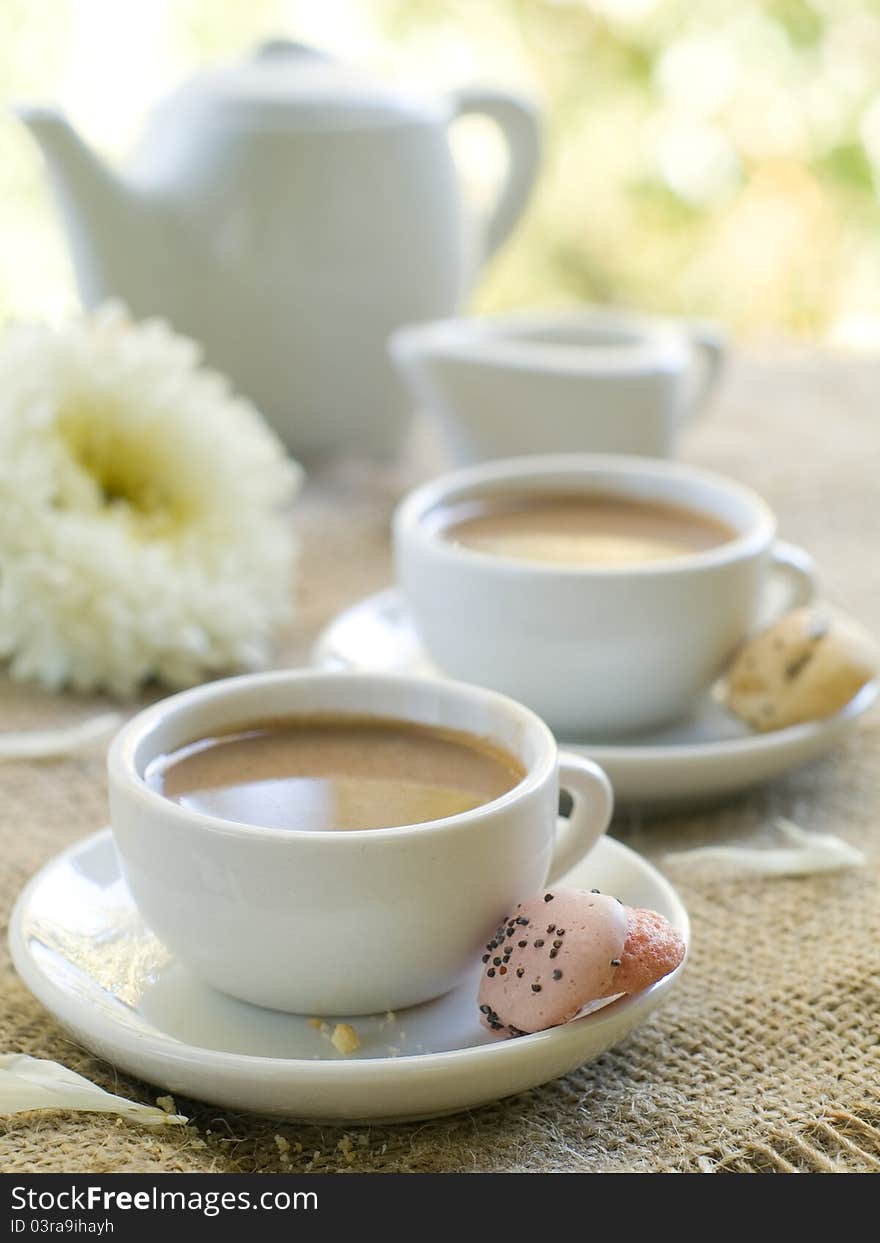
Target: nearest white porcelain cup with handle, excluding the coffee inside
<point>344,923</point>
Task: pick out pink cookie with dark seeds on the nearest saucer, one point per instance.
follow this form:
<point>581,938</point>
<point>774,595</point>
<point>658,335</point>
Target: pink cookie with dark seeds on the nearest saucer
<point>566,949</point>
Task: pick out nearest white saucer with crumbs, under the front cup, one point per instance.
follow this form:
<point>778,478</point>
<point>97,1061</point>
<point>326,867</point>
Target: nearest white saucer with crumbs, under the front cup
<point>81,948</point>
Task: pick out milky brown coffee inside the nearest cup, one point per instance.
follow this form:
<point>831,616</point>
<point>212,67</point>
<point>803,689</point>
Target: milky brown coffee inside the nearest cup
<point>335,774</point>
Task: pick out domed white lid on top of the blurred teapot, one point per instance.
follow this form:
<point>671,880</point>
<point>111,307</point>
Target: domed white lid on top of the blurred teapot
<point>284,85</point>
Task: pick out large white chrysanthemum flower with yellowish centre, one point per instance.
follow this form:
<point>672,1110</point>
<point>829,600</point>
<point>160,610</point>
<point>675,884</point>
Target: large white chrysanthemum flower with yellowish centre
<point>142,510</point>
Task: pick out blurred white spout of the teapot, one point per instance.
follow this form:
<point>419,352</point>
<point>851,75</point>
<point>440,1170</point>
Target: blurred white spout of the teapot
<point>95,203</point>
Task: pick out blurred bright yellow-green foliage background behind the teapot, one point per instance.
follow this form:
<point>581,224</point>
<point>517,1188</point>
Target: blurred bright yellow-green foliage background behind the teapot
<point>715,158</point>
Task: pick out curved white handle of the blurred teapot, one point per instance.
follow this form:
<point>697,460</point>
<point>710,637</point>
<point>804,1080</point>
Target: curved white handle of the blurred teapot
<point>518,120</point>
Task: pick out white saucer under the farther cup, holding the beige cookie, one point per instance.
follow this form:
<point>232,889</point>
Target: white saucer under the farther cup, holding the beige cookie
<point>705,759</point>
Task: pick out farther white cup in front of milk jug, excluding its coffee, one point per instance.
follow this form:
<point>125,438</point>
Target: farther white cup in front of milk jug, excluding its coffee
<point>597,651</point>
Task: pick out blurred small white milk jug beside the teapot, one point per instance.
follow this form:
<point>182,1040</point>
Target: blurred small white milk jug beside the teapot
<point>534,383</point>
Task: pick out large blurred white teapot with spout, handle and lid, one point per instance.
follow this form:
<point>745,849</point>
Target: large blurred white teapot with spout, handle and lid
<point>289,214</point>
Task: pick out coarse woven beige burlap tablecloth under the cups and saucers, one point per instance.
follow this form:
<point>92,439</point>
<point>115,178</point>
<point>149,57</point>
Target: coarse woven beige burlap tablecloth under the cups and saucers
<point>768,1058</point>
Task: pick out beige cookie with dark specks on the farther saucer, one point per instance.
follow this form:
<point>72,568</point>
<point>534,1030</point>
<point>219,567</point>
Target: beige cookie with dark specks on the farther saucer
<point>807,666</point>
